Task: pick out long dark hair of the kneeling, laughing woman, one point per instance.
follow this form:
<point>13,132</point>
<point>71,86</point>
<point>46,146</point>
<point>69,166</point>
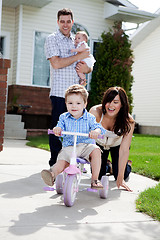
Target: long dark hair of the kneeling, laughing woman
<point>122,123</point>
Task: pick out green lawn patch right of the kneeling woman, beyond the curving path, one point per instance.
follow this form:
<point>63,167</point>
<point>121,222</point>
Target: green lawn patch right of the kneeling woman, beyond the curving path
<point>145,154</point>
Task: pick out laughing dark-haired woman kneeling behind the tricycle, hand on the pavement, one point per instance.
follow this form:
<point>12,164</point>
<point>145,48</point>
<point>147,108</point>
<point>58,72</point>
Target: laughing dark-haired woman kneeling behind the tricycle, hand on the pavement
<point>113,114</point>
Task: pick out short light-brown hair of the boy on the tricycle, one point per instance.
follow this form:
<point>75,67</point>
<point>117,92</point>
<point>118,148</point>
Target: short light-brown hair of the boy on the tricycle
<point>77,89</point>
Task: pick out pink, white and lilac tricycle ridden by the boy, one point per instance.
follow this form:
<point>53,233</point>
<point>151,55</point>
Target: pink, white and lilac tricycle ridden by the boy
<point>67,182</point>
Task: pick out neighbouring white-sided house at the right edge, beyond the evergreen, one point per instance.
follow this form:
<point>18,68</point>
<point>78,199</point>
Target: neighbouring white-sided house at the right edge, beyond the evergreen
<point>146,73</point>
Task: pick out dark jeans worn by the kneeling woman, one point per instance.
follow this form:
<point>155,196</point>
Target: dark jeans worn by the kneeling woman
<point>114,151</point>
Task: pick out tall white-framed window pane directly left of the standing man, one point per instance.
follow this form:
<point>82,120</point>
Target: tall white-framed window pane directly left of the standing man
<point>41,72</point>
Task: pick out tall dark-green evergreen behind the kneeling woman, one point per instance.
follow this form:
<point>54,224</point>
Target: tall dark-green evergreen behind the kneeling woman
<point>114,59</point>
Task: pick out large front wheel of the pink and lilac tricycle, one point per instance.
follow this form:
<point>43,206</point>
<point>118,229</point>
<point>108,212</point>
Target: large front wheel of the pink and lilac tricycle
<point>70,190</point>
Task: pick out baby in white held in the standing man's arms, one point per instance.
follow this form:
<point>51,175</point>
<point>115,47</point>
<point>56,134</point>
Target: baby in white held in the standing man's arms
<point>81,45</point>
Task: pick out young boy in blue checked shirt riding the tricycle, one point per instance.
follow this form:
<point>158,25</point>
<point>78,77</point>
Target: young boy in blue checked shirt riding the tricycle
<point>77,119</point>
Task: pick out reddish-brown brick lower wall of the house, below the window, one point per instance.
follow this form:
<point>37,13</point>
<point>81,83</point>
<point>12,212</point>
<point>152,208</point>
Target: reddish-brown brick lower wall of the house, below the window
<point>37,97</point>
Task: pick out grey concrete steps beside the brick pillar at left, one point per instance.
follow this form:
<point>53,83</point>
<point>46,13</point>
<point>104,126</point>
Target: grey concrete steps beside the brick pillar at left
<point>14,128</point>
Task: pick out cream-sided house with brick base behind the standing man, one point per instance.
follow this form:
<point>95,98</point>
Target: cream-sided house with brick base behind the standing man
<point>24,27</point>
